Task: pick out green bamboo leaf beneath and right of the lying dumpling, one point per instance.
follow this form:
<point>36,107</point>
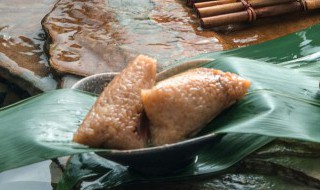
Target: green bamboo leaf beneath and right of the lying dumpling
<point>281,102</point>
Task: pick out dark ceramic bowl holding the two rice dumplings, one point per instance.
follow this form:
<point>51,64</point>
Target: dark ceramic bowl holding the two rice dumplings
<point>153,160</point>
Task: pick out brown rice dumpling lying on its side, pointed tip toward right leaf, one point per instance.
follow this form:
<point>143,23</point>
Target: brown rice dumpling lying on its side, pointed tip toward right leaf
<point>180,106</point>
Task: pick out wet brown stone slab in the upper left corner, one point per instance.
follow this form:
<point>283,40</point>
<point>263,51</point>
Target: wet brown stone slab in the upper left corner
<point>22,60</point>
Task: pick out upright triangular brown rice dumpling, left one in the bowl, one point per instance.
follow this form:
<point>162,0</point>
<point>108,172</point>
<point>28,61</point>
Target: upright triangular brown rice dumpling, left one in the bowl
<point>112,122</point>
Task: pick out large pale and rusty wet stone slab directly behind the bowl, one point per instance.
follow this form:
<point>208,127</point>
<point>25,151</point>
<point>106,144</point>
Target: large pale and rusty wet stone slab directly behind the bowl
<point>97,37</point>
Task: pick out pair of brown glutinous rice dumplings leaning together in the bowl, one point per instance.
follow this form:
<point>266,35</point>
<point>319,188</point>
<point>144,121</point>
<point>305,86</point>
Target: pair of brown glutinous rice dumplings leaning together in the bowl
<point>176,108</point>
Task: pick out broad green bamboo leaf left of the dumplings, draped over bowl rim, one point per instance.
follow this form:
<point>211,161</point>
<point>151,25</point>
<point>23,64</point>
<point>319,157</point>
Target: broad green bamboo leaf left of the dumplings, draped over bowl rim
<point>37,129</point>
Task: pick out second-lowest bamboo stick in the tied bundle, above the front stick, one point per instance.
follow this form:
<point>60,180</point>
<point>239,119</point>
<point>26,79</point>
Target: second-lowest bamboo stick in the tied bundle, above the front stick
<point>235,7</point>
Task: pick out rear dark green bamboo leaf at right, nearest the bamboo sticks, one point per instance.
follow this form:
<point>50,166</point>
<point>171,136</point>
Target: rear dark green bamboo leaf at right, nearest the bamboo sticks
<point>298,51</point>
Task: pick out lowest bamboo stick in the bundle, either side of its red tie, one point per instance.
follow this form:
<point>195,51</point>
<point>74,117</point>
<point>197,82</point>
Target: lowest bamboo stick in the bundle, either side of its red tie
<point>242,16</point>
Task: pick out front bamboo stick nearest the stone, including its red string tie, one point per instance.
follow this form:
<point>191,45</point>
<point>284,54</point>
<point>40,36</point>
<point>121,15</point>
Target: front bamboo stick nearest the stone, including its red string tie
<point>251,14</point>
